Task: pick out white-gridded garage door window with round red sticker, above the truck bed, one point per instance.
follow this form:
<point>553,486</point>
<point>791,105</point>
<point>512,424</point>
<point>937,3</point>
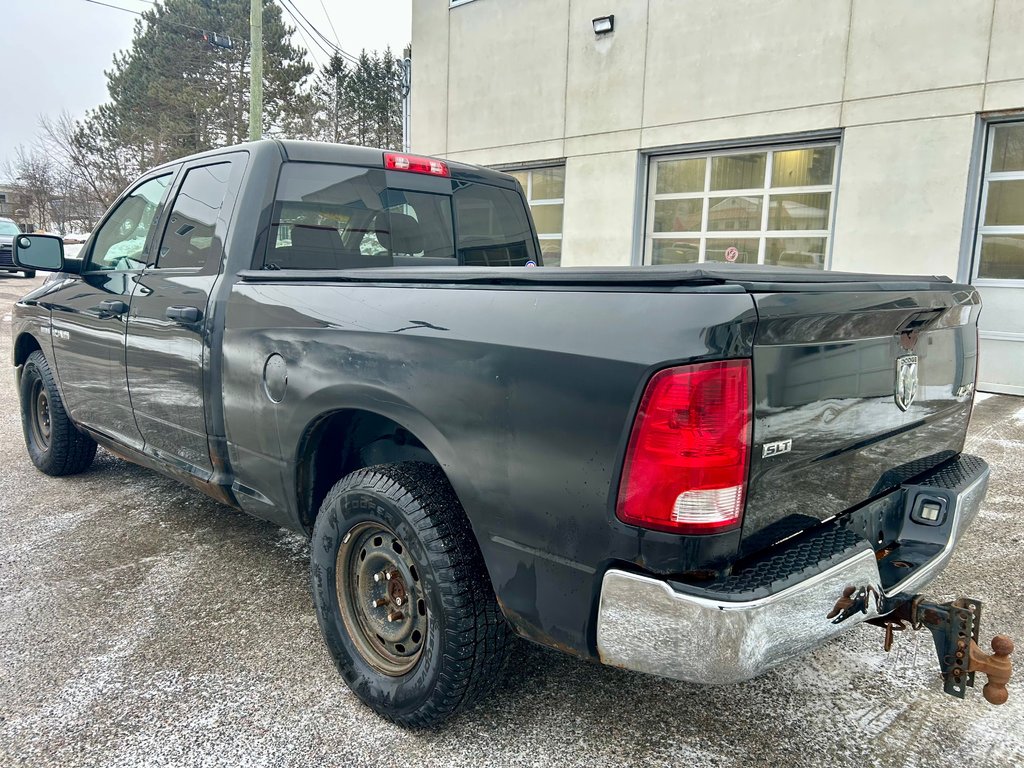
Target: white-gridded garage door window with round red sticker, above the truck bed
<point>750,207</point>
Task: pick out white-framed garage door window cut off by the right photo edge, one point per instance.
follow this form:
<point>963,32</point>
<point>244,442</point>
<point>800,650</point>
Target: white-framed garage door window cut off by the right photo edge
<point>1000,252</point>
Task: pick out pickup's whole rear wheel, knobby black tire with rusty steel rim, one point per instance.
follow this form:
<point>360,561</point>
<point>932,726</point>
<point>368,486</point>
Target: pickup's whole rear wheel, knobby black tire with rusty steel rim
<point>466,642</point>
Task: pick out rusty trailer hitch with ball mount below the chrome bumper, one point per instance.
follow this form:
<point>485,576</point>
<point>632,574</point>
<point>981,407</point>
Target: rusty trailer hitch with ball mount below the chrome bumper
<point>956,628</point>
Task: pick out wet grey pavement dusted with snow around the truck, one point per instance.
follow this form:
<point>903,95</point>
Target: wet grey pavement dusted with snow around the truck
<point>142,624</point>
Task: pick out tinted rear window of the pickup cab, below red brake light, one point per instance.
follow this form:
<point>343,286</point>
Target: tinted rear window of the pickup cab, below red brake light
<point>340,218</point>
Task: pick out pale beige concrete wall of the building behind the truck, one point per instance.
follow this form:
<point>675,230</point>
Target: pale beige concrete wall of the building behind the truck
<point>499,82</point>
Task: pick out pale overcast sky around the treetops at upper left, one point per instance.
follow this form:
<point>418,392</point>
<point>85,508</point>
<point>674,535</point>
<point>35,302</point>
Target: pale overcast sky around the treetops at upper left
<point>57,62</point>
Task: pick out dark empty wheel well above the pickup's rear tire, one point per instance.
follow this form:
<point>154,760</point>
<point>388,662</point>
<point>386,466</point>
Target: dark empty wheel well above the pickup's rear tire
<point>344,442</point>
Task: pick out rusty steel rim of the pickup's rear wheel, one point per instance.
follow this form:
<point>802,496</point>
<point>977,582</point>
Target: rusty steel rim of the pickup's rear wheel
<point>381,600</point>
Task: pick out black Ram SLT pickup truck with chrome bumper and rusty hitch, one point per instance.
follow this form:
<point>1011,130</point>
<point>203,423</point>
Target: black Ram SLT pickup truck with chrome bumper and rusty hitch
<point>697,472</point>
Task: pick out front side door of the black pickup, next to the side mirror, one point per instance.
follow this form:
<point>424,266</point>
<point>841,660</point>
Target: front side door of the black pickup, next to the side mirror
<point>89,315</point>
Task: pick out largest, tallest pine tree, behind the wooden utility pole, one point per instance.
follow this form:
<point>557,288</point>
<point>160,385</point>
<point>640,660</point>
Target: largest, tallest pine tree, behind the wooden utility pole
<point>174,94</point>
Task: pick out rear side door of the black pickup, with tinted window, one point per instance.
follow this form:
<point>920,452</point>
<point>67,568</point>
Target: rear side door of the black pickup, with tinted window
<point>168,349</point>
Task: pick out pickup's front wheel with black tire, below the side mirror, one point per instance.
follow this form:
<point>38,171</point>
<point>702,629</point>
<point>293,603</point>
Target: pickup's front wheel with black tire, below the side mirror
<point>55,445</point>
